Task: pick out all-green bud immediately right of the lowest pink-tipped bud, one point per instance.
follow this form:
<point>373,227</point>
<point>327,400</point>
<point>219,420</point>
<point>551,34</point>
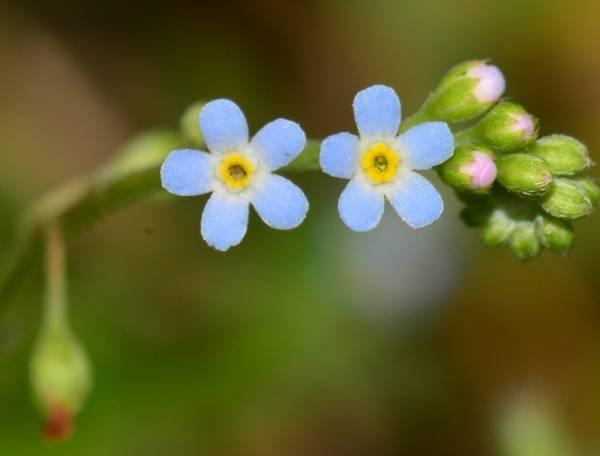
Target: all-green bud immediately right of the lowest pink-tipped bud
<point>524,173</point>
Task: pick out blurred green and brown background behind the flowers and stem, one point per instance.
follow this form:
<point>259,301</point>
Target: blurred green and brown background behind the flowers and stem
<point>316,341</point>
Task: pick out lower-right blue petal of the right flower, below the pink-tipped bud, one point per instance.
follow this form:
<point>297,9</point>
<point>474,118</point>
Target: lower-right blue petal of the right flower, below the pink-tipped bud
<point>417,201</point>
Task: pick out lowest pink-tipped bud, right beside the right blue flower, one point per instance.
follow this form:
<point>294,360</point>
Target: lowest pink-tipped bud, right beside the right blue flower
<point>471,168</point>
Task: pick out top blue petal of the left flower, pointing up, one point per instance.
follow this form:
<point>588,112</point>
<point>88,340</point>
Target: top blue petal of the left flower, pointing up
<point>224,126</point>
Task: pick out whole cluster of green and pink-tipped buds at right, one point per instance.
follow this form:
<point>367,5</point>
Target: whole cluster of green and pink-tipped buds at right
<point>521,191</point>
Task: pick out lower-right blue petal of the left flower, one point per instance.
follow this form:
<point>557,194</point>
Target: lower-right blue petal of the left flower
<point>280,203</point>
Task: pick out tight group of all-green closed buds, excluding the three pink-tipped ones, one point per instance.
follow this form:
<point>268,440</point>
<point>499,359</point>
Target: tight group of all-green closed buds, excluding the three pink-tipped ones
<point>539,191</point>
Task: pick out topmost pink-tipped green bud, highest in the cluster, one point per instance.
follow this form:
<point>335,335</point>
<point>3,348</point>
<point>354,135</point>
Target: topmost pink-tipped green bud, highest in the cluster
<point>467,91</point>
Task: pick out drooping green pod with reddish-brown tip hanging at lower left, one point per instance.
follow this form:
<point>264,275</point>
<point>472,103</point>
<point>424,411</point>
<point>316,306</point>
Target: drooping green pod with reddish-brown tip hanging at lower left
<point>60,375</point>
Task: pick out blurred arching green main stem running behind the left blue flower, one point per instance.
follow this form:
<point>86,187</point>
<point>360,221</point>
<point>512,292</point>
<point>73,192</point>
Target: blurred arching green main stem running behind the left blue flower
<point>133,176</point>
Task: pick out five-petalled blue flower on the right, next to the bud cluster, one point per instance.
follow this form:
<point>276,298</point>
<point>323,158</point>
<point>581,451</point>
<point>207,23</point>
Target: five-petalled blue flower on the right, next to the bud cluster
<point>381,165</point>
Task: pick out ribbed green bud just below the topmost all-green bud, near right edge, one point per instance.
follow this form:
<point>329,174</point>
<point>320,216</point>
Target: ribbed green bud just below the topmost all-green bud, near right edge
<point>567,199</point>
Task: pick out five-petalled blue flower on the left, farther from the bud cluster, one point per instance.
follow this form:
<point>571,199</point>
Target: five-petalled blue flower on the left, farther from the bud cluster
<point>238,172</point>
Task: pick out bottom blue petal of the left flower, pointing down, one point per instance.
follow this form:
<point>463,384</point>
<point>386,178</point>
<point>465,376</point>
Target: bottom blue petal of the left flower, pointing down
<point>224,221</point>
